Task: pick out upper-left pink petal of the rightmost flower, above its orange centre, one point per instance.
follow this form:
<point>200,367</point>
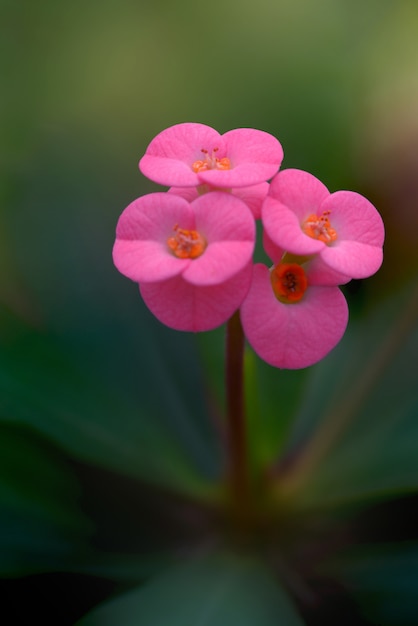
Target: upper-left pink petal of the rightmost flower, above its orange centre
<point>299,191</point>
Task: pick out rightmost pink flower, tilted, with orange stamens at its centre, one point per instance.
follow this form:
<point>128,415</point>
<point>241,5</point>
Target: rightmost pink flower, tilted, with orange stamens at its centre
<point>301,216</point>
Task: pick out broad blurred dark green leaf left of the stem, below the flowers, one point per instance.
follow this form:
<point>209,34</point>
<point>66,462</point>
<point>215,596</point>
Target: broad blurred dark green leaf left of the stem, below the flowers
<point>134,415</point>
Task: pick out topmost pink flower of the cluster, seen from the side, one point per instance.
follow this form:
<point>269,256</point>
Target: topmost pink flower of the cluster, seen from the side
<point>189,155</point>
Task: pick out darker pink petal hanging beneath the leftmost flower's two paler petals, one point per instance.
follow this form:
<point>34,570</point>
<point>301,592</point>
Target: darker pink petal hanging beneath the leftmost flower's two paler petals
<point>182,306</point>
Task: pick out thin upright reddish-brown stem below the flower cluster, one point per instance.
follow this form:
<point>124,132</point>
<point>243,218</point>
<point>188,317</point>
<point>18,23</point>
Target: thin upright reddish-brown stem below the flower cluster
<point>238,478</point>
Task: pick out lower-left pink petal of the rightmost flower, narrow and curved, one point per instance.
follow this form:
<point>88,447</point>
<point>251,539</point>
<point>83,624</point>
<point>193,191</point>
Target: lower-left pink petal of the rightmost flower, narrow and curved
<point>283,227</point>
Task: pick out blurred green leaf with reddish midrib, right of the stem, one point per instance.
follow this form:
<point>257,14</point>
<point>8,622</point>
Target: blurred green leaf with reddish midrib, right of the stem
<point>358,420</point>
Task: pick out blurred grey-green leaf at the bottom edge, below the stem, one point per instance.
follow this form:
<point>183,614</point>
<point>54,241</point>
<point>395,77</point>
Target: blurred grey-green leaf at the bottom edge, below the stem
<point>219,589</point>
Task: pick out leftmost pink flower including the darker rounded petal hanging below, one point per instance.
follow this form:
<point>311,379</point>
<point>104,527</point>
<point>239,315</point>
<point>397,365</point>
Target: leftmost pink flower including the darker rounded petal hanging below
<point>191,260</point>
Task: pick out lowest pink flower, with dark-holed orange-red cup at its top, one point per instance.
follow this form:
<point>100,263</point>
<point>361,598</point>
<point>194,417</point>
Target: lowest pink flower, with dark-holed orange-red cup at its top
<point>293,314</point>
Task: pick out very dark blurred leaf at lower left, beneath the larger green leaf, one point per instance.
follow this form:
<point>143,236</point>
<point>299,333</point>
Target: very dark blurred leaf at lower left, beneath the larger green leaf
<point>54,517</point>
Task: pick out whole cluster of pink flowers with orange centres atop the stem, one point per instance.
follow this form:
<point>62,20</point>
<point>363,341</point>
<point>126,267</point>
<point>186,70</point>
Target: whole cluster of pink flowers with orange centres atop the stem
<point>191,249</point>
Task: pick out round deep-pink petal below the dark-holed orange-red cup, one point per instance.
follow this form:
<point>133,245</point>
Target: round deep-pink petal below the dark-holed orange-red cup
<point>292,336</point>
